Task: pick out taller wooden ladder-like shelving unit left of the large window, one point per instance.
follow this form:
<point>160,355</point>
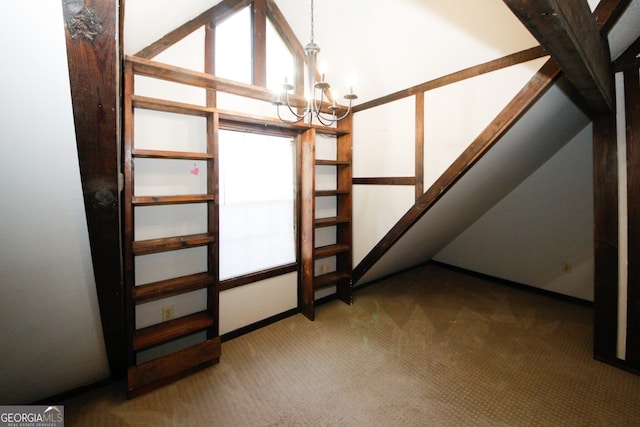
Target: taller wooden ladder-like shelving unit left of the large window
<point>174,364</point>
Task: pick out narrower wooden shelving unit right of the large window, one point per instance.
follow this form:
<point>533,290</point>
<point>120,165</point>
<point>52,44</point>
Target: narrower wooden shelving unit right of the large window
<point>312,280</point>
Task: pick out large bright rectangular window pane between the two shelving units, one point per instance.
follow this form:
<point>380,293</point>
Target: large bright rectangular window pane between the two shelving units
<point>257,190</point>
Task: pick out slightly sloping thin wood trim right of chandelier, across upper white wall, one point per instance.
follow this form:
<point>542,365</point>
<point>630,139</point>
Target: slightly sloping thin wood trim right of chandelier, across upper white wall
<point>467,73</point>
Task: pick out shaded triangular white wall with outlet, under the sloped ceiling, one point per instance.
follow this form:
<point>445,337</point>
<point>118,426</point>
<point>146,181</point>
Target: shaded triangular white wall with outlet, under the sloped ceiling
<point>541,234</point>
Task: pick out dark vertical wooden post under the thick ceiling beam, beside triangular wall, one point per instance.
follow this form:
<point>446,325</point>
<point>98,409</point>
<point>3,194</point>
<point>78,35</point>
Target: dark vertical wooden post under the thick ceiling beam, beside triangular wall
<point>605,174</point>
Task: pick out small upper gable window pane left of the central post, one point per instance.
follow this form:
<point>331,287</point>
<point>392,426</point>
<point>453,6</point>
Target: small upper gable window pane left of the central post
<point>233,47</point>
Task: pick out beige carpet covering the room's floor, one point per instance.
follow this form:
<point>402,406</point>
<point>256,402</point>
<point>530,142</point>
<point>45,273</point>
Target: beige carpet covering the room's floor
<point>429,347</point>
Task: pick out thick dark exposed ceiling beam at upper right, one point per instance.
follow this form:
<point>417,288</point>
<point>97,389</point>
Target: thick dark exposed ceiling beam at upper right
<point>568,32</point>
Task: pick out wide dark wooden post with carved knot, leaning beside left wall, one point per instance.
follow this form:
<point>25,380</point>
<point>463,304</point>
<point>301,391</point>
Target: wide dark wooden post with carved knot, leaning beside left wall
<point>93,56</point>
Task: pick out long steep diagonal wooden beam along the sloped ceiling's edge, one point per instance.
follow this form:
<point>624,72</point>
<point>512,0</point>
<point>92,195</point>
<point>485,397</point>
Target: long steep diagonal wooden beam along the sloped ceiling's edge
<point>491,134</point>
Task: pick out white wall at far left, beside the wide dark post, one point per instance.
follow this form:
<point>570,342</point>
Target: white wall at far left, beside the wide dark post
<point>49,321</point>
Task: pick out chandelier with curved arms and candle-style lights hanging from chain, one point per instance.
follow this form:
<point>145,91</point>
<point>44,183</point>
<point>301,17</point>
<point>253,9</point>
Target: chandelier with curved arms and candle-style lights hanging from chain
<point>317,92</point>
